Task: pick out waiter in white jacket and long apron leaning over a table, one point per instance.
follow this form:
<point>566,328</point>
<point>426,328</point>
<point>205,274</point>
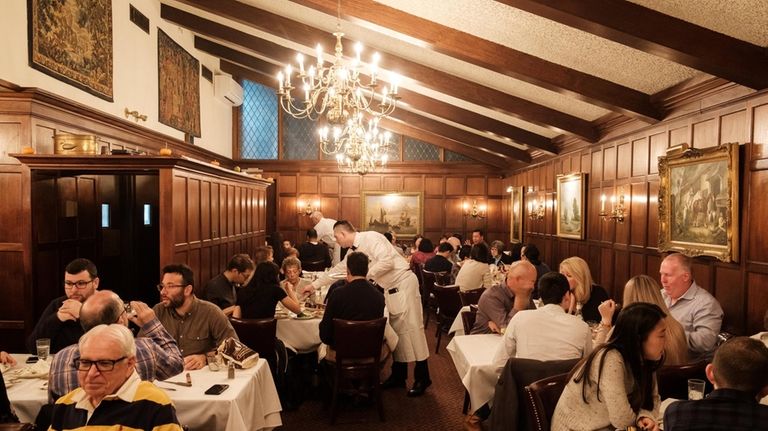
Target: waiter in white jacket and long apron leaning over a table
<point>401,293</point>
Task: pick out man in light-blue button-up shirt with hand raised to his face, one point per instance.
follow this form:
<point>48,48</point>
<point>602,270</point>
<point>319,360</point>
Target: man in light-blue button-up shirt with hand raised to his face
<point>695,308</point>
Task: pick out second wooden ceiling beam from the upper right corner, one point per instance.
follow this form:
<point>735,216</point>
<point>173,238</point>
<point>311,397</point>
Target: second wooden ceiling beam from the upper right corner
<point>496,57</point>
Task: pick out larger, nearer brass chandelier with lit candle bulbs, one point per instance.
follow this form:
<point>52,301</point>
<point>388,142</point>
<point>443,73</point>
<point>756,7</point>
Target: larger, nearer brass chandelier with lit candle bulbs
<point>335,90</point>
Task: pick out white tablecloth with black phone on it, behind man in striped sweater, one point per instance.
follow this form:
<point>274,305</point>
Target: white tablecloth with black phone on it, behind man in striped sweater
<point>250,403</point>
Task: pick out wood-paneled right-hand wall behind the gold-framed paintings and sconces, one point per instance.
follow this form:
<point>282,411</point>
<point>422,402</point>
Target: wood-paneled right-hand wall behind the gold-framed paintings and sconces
<point>616,252</point>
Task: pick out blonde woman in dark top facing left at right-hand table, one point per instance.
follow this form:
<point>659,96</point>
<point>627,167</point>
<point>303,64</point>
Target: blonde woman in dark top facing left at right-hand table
<point>588,294</point>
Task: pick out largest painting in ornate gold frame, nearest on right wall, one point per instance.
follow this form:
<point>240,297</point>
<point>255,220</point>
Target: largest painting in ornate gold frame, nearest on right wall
<point>699,202</point>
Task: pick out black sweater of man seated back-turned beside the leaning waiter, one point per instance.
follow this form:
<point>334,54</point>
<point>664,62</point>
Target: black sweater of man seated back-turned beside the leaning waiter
<point>357,300</point>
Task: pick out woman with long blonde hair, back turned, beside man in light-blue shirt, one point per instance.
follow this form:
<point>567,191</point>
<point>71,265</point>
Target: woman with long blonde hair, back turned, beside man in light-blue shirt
<point>642,288</point>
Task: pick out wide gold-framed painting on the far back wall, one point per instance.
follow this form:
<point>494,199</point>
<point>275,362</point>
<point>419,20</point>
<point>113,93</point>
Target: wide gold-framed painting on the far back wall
<point>392,211</point>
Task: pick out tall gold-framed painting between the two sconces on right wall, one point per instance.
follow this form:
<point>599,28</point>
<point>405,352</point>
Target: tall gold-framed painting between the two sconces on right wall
<point>570,206</point>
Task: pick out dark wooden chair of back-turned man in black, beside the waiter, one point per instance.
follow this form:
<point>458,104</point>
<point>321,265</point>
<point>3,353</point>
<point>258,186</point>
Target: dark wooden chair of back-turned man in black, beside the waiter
<point>358,360</point>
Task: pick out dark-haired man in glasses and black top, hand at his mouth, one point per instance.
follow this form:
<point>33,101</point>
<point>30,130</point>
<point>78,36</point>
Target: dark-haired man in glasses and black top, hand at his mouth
<point>60,319</point>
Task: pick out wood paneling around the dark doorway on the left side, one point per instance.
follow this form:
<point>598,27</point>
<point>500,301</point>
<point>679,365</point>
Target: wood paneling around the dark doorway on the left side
<point>220,212</point>
